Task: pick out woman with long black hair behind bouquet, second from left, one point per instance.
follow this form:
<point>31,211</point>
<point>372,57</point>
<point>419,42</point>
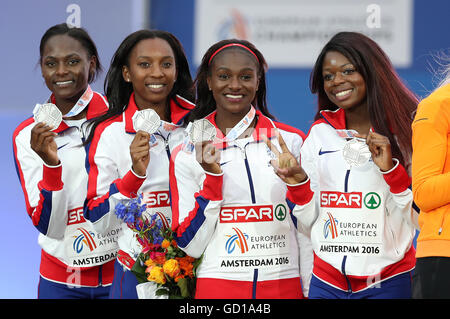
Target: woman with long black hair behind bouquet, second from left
<point>149,88</point>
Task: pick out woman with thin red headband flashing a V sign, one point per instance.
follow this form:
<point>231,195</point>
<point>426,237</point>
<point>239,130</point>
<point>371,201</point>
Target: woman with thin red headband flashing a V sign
<point>228,204</point>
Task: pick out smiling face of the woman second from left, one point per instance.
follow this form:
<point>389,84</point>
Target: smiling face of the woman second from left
<point>152,71</point>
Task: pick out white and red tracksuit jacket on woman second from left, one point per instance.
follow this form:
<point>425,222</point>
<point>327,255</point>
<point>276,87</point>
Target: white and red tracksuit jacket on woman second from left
<point>111,179</point>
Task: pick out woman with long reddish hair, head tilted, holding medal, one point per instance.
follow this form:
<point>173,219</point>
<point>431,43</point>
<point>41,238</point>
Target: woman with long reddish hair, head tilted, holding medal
<point>355,197</point>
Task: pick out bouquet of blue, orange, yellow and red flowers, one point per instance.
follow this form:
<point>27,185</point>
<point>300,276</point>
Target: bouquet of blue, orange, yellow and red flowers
<point>161,260</point>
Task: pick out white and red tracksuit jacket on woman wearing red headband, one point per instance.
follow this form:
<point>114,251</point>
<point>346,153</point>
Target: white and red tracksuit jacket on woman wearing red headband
<point>239,220</point>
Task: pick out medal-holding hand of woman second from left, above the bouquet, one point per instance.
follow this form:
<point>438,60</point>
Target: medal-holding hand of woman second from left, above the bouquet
<point>140,152</point>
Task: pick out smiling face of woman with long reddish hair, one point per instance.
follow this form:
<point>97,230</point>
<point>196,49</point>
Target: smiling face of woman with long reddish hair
<point>342,83</point>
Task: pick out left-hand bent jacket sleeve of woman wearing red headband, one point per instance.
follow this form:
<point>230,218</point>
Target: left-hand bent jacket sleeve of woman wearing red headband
<point>196,199</point>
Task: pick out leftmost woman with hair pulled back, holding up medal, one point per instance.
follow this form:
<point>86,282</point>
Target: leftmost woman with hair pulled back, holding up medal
<point>50,157</point>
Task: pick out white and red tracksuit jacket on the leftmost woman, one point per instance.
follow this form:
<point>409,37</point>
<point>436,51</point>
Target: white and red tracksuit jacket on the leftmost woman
<point>72,251</point>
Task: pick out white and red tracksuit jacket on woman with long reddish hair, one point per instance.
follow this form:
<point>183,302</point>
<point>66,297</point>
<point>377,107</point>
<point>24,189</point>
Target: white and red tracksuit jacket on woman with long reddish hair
<point>360,220</point>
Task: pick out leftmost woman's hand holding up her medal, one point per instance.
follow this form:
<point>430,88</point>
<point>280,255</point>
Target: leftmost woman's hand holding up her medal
<point>43,143</point>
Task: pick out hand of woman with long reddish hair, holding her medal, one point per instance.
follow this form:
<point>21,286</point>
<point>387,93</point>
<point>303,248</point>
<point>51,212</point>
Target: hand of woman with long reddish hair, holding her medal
<point>380,147</point>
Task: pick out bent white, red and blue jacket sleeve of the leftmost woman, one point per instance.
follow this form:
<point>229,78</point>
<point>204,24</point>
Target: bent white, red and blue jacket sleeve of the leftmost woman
<point>45,197</point>
